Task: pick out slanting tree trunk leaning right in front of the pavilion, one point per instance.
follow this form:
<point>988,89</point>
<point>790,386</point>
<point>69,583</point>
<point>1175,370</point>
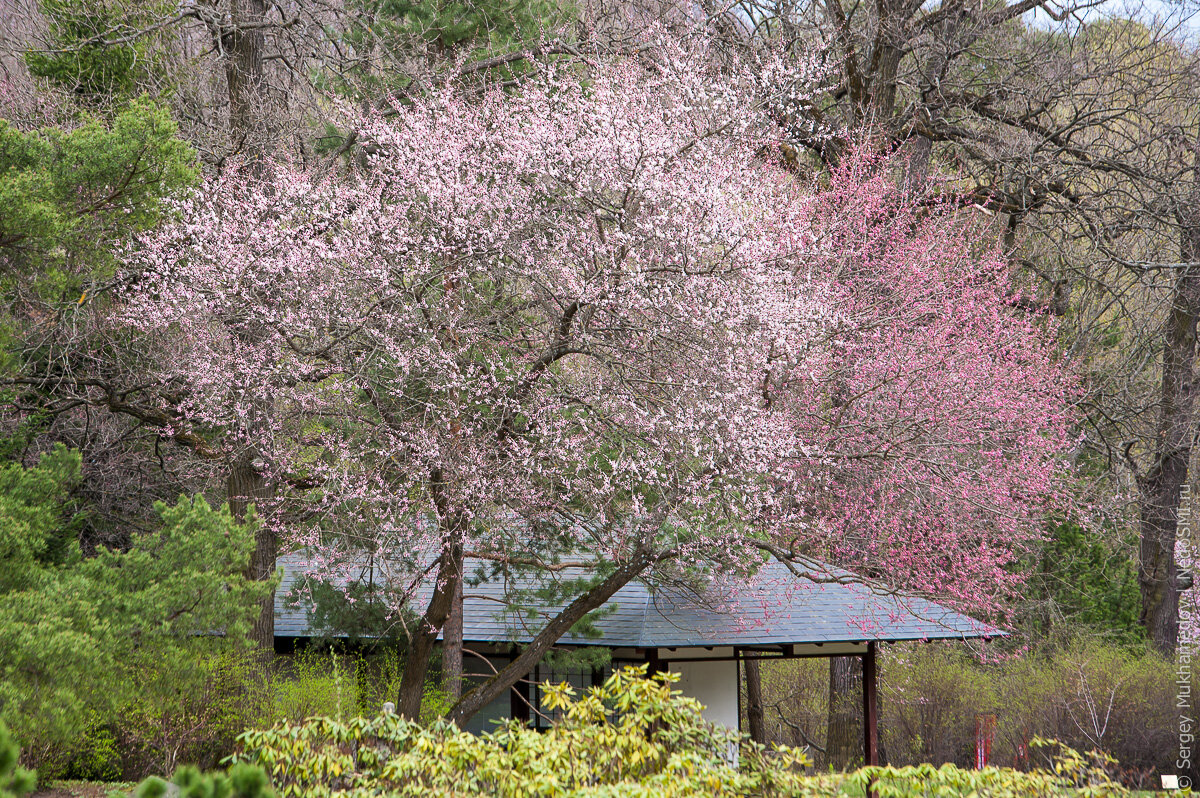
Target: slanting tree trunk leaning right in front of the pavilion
<point>560,626</point>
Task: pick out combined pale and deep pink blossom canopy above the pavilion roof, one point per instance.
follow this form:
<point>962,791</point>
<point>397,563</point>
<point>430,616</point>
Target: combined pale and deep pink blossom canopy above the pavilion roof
<point>593,316</point>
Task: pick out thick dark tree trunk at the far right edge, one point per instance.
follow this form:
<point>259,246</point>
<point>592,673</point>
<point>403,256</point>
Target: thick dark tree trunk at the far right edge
<point>1162,487</point>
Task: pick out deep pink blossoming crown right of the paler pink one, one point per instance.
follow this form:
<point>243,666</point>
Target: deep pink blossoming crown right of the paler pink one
<point>939,410</point>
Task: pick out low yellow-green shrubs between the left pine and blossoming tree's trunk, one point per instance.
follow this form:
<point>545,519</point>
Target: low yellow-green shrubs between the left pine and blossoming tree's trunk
<point>187,707</point>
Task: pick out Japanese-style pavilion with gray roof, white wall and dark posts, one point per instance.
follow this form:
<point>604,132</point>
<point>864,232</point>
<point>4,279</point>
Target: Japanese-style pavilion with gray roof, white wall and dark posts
<point>705,637</point>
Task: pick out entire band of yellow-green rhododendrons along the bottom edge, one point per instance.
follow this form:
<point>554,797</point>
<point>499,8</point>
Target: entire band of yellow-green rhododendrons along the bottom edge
<point>632,736</point>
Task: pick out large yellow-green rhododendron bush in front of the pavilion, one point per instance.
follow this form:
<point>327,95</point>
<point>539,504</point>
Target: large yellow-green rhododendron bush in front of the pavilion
<point>629,736</point>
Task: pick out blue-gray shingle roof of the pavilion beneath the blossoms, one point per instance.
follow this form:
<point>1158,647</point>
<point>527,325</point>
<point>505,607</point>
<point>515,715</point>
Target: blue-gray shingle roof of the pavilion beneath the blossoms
<point>773,608</point>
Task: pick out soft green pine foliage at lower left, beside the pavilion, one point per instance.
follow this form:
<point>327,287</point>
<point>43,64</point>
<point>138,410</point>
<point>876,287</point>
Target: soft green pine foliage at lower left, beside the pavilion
<point>76,631</point>
